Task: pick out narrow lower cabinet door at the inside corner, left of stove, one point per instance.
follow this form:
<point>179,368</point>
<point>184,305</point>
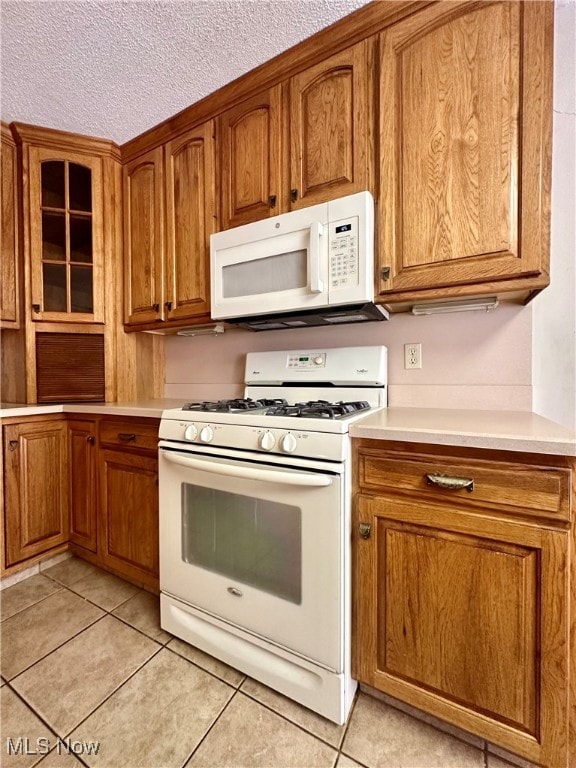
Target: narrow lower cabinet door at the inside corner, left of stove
<point>83,485</point>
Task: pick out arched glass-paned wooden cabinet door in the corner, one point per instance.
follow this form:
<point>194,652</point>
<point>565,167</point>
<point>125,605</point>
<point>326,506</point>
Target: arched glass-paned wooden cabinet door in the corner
<point>66,236</point>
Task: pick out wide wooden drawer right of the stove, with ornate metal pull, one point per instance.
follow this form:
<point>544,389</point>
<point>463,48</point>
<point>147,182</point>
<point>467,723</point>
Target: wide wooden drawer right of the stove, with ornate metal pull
<point>515,488</point>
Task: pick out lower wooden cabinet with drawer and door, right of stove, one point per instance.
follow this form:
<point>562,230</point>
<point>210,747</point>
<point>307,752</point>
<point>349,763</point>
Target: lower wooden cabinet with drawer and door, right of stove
<point>462,584</point>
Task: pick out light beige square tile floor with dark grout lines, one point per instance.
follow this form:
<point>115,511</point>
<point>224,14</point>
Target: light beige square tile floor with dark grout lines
<point>84,661</point>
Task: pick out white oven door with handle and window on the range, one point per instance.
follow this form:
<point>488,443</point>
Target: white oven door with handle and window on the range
<point>257,545</point>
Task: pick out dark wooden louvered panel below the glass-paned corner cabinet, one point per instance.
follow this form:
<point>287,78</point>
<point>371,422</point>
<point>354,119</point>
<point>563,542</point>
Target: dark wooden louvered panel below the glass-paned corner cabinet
<point>69,367</point>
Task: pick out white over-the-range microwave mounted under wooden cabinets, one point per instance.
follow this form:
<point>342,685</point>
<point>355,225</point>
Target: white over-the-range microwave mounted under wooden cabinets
<point>314,266</point>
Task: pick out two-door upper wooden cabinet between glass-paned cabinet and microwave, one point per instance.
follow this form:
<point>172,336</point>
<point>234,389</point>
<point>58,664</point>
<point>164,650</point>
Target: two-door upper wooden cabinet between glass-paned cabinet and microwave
<point>169,214</point>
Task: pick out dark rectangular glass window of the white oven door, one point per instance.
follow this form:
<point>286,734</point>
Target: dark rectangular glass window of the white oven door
<point>248,540</point>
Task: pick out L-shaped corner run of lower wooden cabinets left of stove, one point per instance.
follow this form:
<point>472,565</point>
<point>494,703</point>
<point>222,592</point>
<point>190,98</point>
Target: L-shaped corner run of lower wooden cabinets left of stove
<point>90,484</point>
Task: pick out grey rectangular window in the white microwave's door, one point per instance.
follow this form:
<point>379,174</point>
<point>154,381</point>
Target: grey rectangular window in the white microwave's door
<point>271,274</point>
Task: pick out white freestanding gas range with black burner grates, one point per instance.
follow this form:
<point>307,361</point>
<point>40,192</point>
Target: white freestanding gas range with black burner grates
<point>255,498</point>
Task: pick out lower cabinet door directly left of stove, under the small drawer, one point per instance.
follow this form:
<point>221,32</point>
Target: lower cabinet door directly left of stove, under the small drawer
<point>129,515</point>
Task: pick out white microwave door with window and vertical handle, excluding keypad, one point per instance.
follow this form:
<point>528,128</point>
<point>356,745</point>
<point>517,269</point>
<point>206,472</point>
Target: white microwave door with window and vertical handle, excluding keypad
<point>271,273</point>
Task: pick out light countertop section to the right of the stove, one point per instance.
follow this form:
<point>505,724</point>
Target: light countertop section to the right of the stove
<point>520,431</point>
